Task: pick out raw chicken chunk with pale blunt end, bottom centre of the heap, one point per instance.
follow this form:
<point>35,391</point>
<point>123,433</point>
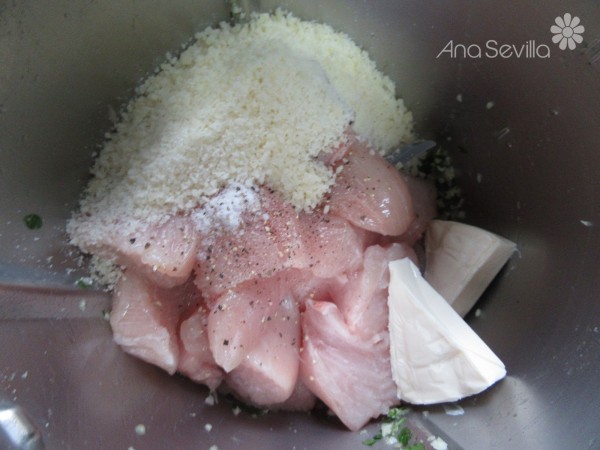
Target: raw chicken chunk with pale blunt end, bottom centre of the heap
<point>268,374</point>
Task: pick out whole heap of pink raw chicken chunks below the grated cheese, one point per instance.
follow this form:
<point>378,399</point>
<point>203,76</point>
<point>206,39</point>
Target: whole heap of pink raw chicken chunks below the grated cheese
<point>287,307</point>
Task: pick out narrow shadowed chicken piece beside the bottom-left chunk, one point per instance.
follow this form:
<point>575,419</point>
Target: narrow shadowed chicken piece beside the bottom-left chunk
<point>195,357</point>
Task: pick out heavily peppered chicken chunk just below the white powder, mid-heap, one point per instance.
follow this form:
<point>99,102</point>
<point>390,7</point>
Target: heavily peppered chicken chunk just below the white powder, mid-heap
<point>267,242</point>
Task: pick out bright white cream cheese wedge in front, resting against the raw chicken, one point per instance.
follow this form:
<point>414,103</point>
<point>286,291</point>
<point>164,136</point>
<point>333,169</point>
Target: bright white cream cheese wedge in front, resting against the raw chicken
<point>436,357</point>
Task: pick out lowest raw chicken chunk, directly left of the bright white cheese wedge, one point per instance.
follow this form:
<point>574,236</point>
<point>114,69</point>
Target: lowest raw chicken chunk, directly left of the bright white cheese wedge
<point>350,375</point>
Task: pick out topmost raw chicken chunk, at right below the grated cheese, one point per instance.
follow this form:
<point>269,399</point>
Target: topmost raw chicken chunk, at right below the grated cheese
<point>371,193</point>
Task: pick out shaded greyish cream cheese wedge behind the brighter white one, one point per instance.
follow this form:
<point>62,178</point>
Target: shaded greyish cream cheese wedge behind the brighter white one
<point>462,260</point>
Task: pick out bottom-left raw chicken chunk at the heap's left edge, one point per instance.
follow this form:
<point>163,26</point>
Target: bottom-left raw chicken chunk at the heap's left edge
<point>144,318</point>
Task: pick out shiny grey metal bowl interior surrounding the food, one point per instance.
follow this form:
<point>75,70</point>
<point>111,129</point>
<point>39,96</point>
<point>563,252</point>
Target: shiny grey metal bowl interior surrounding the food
<point>524,137</point>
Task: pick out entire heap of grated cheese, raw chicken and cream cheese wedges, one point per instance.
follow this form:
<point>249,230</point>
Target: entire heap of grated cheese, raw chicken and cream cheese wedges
<point>256,240</point>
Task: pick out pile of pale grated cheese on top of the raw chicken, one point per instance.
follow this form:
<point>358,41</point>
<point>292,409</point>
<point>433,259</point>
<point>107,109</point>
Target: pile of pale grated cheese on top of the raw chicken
<point>252,104</point>
